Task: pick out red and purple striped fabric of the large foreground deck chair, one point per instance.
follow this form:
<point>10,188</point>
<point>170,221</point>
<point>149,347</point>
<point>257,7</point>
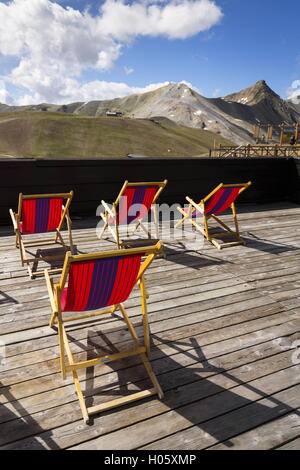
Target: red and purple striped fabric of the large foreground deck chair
<point>100,283</point>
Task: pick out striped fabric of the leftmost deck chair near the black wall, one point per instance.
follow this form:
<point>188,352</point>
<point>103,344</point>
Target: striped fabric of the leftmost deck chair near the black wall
<point>41,215</point>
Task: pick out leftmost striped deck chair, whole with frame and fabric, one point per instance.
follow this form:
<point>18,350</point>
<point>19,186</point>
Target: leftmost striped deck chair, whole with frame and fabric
<point>41,213</point>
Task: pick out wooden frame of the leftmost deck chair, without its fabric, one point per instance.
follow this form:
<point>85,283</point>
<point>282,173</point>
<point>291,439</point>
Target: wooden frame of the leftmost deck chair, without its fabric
<point>21,244</point>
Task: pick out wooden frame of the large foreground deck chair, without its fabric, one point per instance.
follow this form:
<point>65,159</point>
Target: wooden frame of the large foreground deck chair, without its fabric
<point>143,350</point>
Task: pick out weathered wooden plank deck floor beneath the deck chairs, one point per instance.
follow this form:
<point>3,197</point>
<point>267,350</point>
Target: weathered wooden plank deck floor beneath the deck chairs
<point>223,324</point>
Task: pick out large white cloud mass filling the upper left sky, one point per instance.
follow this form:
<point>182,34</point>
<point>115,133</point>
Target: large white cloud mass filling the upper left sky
<point>56,44</point>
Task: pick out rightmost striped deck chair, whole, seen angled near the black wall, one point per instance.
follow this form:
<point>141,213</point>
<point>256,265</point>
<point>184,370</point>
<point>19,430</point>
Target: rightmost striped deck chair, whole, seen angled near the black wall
<point>218,201</point>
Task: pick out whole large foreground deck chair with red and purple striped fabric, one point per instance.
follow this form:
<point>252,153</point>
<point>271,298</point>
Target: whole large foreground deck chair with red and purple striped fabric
<point>102,281</point>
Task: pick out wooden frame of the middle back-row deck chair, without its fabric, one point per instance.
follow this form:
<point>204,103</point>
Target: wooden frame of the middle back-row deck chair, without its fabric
<point>113,211</point>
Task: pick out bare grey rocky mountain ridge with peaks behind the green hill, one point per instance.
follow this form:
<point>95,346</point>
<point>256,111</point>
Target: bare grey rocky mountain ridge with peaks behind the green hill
<point>232,116</point>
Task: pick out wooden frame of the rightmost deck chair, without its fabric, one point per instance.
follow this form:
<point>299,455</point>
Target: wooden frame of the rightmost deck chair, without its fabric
<point>204,229</point>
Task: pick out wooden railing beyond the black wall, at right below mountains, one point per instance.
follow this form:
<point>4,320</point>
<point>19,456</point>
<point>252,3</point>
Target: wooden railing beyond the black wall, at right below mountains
<point>256,151</point>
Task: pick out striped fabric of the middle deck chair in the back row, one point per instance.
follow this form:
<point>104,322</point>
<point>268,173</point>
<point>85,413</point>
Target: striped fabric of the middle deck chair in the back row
<point>135,203</point>
